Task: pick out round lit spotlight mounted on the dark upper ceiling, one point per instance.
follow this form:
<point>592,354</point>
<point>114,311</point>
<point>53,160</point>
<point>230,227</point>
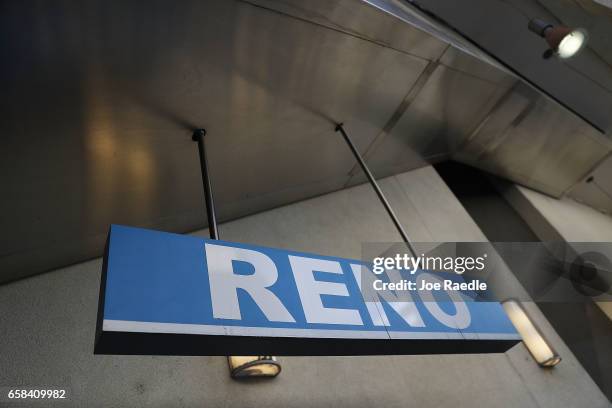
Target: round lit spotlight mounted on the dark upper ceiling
<point>563,41</point>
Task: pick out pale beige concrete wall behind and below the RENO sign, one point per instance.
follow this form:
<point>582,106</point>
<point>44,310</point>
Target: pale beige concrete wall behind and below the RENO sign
<point>48,324</point>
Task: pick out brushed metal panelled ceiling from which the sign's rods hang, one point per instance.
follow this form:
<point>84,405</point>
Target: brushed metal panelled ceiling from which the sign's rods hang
<point>99,99</point>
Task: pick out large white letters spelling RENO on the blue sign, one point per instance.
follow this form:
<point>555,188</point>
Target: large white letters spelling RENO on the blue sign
<point>224,285</point>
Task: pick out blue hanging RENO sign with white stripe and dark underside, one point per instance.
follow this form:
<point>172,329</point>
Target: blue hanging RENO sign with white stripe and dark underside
<point>163,283</point>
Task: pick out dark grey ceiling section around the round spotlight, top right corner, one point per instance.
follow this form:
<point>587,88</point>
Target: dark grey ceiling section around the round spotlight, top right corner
<point>582,84</point>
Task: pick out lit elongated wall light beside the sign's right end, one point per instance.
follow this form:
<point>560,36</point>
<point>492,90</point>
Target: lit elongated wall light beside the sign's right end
<point>540,349</point>
